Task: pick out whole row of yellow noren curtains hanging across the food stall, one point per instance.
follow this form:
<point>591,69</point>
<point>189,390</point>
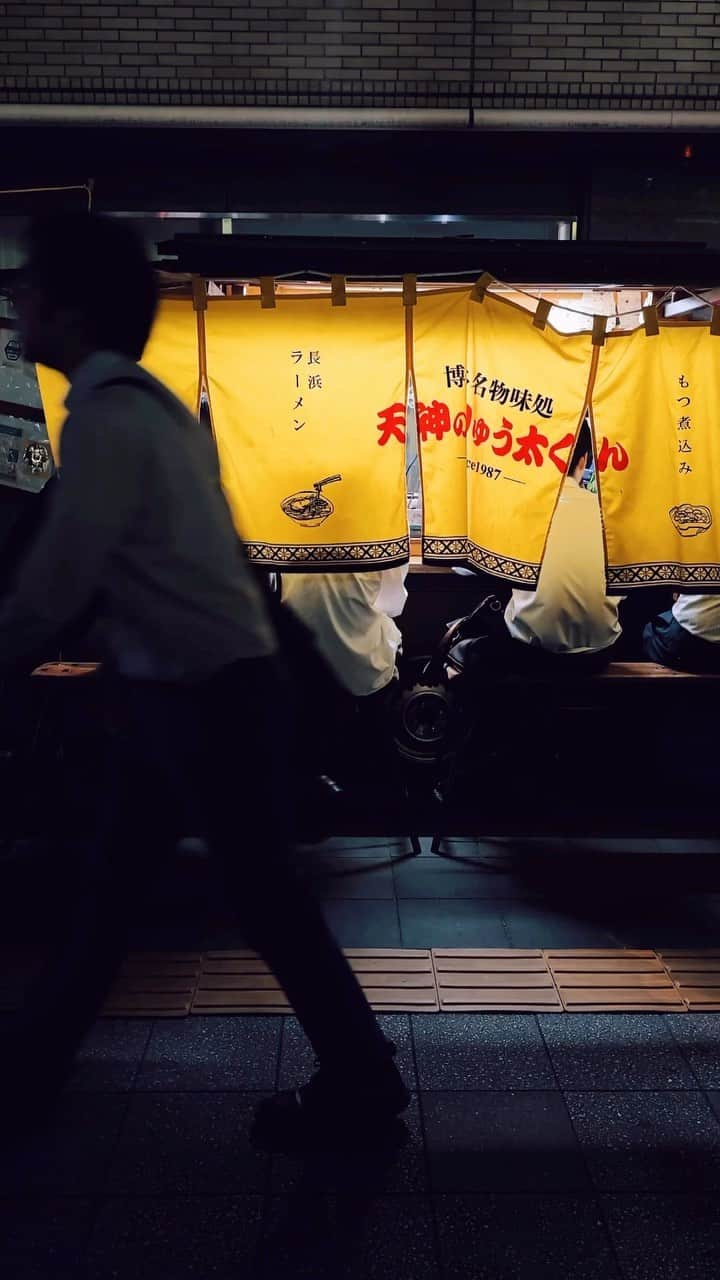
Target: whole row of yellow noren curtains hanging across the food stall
<point>320,396</point>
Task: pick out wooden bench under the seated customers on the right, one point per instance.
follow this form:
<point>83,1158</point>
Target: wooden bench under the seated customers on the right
<point>635,705</point>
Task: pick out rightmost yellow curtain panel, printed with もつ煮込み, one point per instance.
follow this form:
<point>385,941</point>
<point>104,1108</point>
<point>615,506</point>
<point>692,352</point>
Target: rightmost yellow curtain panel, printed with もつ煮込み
<point>660,399</point>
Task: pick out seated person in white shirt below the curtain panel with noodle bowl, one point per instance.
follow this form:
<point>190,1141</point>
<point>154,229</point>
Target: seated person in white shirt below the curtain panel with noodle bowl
<point>352,620</point>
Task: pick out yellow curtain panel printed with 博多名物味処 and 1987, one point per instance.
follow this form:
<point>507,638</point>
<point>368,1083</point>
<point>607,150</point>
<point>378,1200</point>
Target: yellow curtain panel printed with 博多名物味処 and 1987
<point>504,412</point>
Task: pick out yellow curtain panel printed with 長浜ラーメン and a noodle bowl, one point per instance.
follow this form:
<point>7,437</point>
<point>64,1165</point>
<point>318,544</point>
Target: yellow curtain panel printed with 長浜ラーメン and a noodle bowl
<point>308,406</point>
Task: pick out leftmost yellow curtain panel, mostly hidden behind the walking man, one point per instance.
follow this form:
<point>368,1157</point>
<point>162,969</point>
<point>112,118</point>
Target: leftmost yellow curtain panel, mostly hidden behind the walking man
<point>171,355</point>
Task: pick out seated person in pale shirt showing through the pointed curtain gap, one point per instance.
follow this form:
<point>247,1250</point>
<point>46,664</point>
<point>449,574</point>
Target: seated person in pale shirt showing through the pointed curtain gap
<point>569,623</point>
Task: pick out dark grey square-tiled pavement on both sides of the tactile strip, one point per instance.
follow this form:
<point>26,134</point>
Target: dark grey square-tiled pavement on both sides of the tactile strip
<point>580,1146</point>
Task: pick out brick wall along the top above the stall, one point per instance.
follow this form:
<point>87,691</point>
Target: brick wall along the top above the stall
<point>569,54</point>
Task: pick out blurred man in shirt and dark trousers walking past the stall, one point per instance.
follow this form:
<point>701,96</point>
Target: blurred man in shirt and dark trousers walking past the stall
<point>140,533</point>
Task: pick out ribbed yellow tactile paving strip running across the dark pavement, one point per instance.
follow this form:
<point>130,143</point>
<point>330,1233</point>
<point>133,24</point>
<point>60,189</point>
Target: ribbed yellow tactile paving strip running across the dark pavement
<point>181,984</point>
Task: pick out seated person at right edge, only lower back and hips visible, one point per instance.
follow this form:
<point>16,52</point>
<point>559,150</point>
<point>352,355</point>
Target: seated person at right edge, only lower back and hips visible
<point>689,637</point>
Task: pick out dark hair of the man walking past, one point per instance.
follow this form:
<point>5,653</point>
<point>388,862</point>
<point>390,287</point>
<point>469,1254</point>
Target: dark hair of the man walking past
<point>98,267</point>
